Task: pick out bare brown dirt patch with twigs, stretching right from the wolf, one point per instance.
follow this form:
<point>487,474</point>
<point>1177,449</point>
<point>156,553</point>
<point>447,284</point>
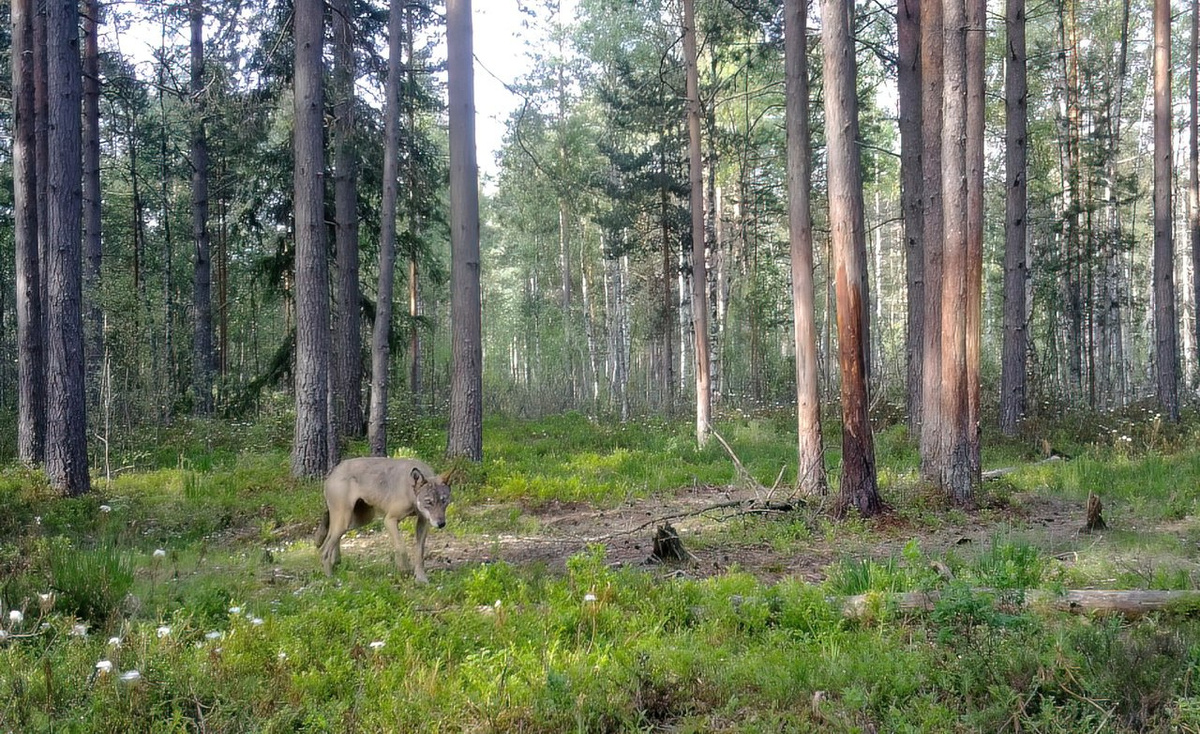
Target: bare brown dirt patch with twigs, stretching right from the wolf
<point>721,536</point>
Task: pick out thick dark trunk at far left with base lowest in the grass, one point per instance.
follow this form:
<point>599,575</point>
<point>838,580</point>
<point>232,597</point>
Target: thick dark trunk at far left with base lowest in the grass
<point>67,428</point>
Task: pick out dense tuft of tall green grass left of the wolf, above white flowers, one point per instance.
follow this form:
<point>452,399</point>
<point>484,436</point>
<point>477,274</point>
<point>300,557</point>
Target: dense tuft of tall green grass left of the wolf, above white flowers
<point>93,583</point>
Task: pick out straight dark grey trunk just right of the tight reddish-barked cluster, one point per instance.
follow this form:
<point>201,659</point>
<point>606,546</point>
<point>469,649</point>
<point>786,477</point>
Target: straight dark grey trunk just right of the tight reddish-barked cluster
<point>1013,363</point>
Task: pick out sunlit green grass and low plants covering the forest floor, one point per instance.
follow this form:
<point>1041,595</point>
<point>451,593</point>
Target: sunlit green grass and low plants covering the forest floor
<point>233,628</point>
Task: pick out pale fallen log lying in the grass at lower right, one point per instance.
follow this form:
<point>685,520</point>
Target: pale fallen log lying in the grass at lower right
<point>1102,603</point>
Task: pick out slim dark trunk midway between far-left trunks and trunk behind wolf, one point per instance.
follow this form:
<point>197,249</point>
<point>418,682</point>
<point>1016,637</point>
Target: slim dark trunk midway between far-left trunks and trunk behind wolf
<point>203,363</point>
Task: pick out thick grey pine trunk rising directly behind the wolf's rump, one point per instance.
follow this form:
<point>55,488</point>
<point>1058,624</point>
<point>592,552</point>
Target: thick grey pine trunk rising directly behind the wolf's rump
<point>310,453</point>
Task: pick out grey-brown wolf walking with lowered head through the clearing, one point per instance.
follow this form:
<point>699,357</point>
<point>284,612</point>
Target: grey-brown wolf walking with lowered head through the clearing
<point>398,489</point>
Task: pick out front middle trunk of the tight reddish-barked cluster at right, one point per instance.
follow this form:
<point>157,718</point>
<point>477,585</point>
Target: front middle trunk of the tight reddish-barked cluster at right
<point>953,460</point>
